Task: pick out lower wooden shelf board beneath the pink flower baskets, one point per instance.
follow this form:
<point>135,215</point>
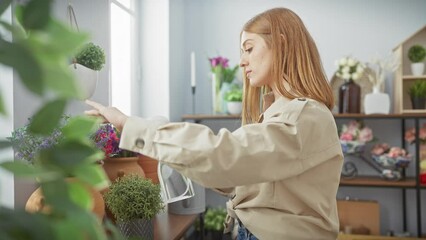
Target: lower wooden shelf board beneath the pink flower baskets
<point>368,181</point>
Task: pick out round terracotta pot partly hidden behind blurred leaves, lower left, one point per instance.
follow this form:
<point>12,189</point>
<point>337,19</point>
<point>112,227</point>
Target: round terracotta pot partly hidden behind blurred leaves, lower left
<point>36,203</point>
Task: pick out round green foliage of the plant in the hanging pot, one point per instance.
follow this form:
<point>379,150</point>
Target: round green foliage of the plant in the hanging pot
<point>91,56</point>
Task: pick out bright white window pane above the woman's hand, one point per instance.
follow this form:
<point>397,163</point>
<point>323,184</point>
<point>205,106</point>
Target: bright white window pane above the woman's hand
<point>122,47</point>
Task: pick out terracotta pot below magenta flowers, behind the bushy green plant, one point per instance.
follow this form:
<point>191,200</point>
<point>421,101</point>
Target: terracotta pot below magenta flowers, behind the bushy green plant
<point>118,167</point>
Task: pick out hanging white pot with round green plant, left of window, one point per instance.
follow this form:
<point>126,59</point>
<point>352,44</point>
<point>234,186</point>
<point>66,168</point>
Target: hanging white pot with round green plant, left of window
<point>86,64</point>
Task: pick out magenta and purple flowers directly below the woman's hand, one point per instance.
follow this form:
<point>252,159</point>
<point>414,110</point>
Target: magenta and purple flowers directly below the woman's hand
<point>107,139</point>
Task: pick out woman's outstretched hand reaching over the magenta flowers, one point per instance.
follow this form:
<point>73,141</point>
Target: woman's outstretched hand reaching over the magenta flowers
<point>108,114</point>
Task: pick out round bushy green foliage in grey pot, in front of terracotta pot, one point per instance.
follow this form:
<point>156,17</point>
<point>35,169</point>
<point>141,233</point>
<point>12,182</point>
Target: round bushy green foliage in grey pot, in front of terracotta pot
<point>134,197</point>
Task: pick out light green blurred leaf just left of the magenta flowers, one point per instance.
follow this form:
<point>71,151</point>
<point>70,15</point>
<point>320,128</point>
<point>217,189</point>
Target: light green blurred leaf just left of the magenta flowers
<point>80,127</point>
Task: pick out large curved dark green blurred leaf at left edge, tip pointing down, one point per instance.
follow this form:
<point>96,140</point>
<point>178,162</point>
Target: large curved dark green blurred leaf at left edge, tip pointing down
<point>18,57</point>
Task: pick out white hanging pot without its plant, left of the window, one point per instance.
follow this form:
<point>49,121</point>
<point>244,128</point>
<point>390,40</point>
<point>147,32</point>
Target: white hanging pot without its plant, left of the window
<point>87,79</point>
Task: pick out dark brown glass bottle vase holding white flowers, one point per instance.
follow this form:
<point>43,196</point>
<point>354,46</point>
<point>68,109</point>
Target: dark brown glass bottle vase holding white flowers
<point>349,97</point>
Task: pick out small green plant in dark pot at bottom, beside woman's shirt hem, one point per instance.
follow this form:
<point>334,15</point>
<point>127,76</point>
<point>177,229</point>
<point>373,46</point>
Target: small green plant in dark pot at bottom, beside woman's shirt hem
<point>214,218</point>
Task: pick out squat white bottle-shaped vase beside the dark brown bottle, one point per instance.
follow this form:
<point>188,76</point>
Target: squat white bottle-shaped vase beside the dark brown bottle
<point>376,102</point>
